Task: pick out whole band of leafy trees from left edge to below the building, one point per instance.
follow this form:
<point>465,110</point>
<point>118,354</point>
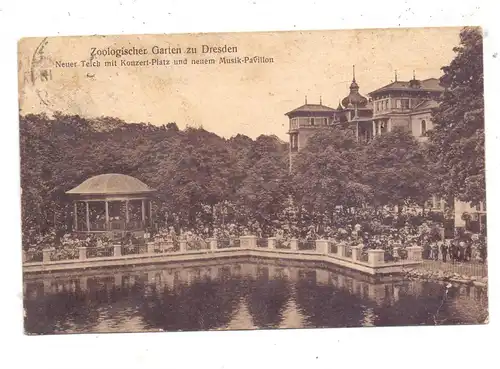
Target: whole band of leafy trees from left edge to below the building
<point>205,180</point>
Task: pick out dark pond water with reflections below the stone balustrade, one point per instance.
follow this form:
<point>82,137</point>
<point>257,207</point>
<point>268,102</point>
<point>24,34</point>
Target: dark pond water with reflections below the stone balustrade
<point>239,295</point>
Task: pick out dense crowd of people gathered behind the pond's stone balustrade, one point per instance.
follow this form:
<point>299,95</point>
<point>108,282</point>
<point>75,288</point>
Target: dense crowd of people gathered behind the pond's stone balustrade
<point>373,228</point>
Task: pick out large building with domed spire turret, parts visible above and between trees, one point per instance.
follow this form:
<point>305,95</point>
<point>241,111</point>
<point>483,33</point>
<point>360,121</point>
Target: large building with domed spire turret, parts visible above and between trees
<point>403,104</point>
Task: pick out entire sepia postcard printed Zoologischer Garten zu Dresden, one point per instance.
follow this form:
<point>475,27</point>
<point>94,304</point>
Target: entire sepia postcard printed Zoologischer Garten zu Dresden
<point>265,180</point>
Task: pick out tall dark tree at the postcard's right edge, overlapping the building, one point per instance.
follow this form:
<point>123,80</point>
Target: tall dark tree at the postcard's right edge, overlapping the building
<point>456,143</point>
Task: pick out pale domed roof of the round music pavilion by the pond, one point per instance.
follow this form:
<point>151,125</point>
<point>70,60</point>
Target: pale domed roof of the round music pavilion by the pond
<point>111,184</point>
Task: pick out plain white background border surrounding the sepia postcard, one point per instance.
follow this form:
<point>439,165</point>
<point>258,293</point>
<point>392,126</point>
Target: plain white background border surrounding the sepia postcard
<point>388,347</point>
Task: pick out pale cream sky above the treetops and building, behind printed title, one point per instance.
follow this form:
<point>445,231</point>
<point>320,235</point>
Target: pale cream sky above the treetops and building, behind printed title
<point>227,99</point>
